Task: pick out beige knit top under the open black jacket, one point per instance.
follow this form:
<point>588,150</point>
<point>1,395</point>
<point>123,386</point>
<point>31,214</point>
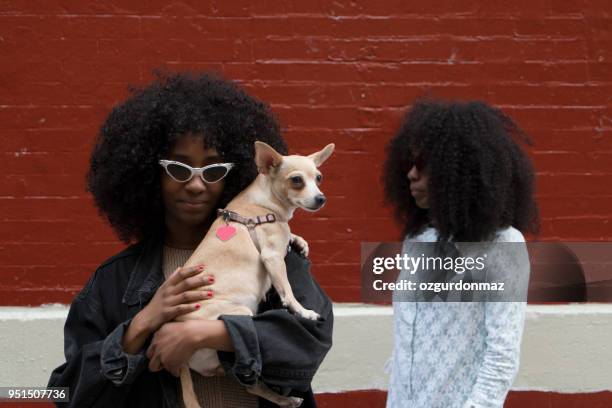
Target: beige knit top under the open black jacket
<point>212,392</point>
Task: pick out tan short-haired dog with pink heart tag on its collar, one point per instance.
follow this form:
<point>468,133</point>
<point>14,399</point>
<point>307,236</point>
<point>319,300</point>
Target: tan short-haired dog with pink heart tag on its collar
<point>246,262</point>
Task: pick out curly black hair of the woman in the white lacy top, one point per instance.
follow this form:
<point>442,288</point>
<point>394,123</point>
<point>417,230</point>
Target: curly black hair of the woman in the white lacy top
<point>480,179</point>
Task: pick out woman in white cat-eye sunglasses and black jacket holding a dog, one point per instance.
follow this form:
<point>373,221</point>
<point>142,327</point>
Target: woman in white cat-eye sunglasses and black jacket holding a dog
<point>122,347</point>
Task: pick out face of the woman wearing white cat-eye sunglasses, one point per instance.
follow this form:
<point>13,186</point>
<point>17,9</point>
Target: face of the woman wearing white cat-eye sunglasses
<point>190,203</point>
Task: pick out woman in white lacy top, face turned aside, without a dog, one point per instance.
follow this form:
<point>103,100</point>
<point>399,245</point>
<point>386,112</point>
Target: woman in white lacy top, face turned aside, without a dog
<point>456,175</point>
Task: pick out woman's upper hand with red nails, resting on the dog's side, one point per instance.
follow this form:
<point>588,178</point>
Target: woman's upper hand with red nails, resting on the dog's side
<point>176,296</point>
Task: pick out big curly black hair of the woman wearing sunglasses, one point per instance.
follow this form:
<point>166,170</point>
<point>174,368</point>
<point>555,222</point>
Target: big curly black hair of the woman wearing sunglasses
<point>124,175</point>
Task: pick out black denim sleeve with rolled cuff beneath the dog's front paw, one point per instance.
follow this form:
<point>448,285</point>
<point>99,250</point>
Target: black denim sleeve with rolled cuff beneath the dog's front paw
<point>277,347</point>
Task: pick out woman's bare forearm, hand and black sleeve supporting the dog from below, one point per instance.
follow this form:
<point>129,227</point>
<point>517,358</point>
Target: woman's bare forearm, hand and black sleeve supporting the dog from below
<point>275,346</point>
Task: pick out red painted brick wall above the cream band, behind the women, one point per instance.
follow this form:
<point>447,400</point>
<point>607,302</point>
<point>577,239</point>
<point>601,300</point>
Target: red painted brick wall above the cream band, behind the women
<point>341,71</point>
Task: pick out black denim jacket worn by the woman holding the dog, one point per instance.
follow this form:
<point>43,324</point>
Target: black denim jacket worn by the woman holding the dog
<point>281,349</point>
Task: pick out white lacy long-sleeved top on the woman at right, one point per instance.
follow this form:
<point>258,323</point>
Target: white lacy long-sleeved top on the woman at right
<point>458,354</point>
